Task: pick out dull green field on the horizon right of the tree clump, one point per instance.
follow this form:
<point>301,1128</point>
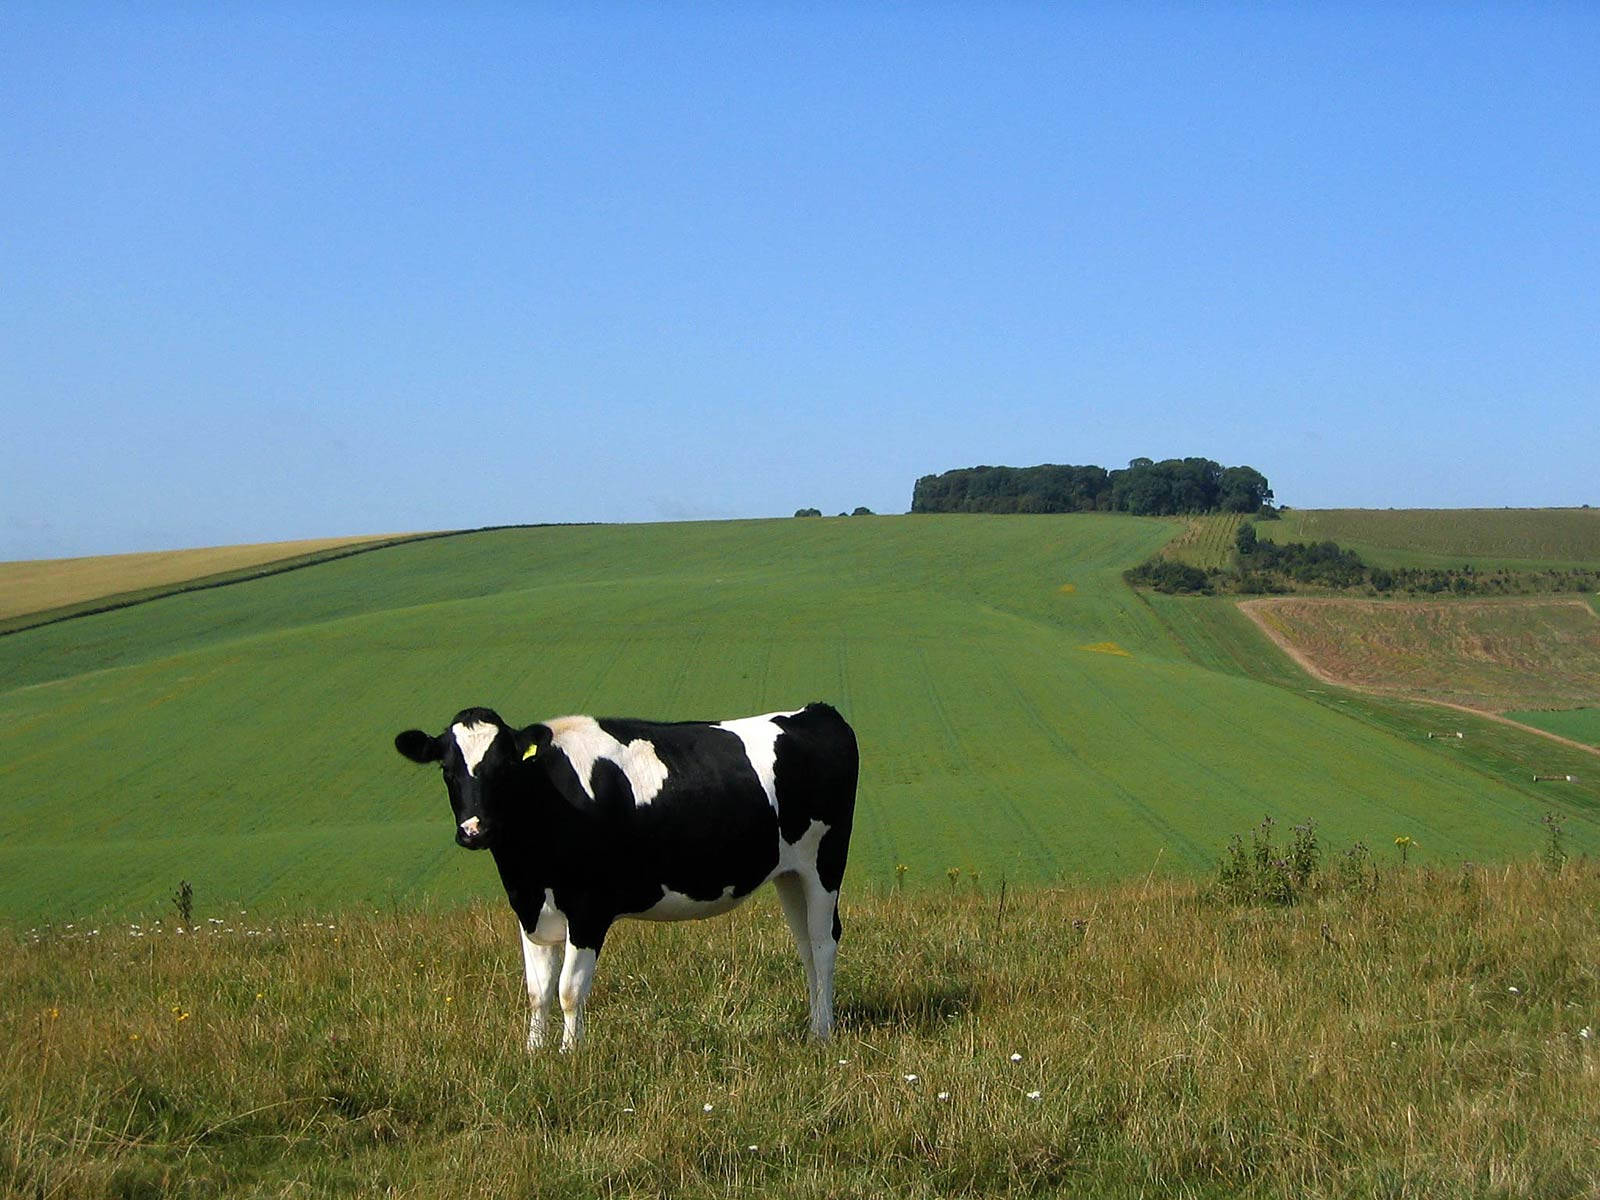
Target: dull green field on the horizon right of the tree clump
<point>1487,538</point>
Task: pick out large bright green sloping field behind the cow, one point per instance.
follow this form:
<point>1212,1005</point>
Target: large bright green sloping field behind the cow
<point>239,738</point>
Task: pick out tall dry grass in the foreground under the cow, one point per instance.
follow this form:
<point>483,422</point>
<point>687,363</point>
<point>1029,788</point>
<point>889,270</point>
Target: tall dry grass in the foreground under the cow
<point>1436,1039</point>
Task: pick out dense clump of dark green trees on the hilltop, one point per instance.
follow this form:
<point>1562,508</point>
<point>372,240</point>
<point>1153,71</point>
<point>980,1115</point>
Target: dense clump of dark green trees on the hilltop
<point>1145,489</point>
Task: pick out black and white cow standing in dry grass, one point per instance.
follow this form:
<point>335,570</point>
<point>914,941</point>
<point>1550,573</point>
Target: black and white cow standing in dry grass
<point>594,820</point>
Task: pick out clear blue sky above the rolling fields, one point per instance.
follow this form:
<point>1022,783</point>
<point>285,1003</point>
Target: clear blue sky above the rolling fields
<point>289,271</point>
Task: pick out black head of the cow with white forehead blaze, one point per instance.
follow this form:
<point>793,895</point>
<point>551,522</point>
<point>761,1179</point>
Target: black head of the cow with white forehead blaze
<point>478,754</point>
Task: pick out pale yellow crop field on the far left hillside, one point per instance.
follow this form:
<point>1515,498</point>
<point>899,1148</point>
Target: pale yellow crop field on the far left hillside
<point>41,585</point>
